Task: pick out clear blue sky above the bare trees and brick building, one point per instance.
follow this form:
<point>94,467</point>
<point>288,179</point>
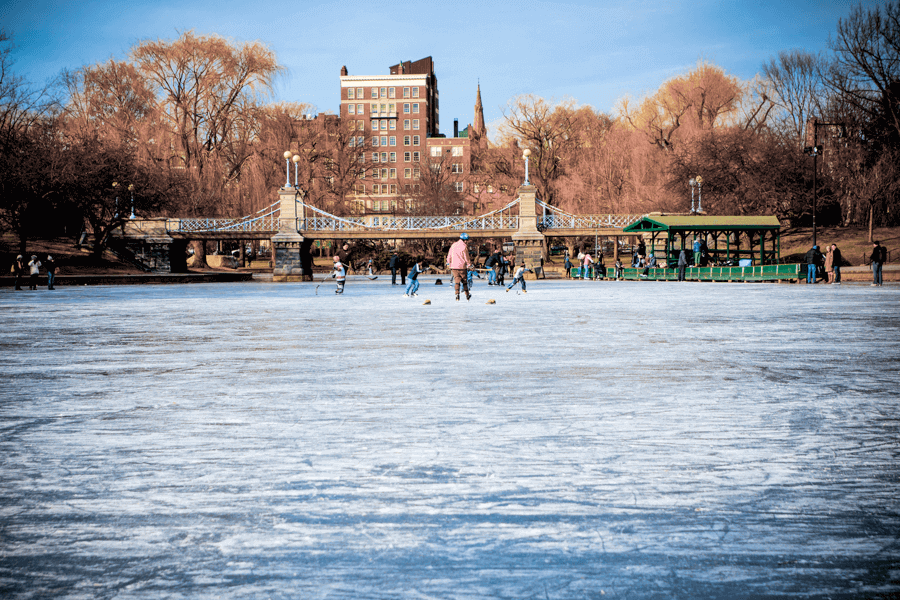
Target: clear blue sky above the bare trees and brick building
<point>594,52</point>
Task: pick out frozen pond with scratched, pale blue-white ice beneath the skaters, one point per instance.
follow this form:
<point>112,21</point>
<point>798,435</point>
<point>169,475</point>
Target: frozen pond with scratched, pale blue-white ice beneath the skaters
<point>586,440</point>
